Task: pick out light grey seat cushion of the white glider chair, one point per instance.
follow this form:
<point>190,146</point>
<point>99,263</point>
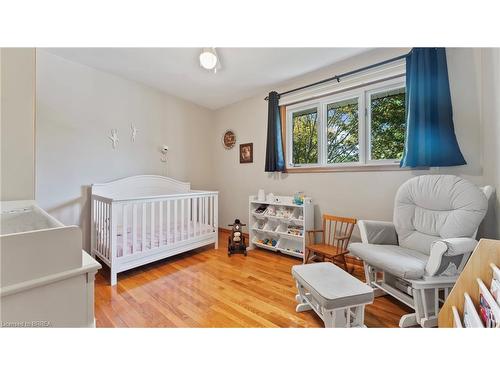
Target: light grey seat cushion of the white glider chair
<point>401,262</point>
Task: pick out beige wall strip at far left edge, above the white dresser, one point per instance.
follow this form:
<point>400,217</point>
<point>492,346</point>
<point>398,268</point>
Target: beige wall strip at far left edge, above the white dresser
<point>17,118</point>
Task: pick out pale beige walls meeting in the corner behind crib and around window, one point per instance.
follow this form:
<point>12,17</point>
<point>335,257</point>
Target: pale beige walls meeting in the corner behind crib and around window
<point>77,106</point>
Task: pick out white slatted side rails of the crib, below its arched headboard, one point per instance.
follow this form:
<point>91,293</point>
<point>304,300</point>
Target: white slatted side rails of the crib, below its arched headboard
<point>125,228</point>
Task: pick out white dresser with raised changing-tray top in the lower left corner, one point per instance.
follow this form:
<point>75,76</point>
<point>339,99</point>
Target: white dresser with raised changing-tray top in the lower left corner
<point>46,279</point>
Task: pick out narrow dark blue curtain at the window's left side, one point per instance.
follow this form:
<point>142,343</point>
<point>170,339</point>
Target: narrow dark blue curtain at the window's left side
<point>275,161</point>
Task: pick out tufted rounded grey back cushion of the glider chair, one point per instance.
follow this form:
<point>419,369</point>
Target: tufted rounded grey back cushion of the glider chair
<point>431,207</point>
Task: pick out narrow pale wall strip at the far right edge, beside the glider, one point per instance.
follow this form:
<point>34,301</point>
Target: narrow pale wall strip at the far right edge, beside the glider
<point>491,133</point>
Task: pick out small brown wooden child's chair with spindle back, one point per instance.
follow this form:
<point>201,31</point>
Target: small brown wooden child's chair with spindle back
<point>336,236</point>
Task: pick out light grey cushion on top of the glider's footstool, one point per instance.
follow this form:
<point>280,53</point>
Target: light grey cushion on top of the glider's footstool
<point>331,286</point>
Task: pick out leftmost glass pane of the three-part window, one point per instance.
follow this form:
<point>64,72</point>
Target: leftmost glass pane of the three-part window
<point>305,137</point>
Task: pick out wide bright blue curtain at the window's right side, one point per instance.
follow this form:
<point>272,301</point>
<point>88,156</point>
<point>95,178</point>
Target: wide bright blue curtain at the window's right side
<point>430,134</point>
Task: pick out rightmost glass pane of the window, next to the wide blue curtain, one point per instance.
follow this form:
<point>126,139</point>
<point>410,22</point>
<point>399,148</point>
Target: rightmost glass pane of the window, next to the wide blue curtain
<point>388,124</point>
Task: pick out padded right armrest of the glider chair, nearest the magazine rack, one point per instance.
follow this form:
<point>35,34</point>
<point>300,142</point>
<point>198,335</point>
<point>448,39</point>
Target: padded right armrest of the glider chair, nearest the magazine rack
<point>448,248</point>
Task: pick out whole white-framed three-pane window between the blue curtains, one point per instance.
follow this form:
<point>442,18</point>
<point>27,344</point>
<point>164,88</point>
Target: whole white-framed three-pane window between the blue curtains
<point>362,126</point>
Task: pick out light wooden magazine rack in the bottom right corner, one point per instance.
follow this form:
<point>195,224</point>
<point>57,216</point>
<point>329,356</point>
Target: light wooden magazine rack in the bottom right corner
<point>477,275</point>
